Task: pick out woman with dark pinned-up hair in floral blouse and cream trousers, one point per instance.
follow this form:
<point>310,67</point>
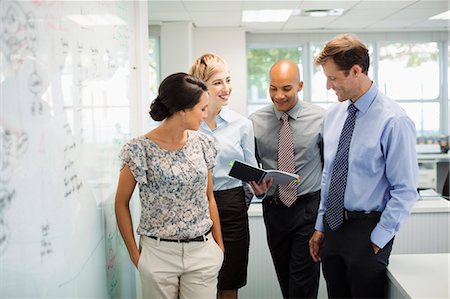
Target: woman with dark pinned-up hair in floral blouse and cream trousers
<point>180,248</point>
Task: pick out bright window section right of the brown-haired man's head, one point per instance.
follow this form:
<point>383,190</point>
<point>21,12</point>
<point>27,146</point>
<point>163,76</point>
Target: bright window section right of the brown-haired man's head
<point>409,74</point>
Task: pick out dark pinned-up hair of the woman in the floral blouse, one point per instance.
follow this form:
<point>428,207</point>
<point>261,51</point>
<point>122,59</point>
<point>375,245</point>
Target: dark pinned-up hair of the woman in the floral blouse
<point>176,92</point>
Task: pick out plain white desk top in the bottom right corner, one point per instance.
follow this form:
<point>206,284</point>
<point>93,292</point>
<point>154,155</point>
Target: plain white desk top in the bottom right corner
<point>419,276</point>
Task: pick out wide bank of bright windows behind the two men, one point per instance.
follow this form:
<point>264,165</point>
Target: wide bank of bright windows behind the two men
<point>414,73</point>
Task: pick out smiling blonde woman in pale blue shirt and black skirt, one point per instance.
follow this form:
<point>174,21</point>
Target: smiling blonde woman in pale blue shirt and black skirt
<point>234,138</point>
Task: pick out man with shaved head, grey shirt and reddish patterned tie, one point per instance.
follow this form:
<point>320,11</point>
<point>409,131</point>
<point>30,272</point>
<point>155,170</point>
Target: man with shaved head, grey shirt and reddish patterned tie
<point>288,136</point>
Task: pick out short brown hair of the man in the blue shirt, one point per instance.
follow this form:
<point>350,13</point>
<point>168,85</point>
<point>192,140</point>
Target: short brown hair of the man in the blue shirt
<point>346,50</point>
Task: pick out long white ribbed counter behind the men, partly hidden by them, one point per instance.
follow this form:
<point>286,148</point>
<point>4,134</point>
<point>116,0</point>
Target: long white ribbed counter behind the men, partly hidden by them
<point>425,231</point>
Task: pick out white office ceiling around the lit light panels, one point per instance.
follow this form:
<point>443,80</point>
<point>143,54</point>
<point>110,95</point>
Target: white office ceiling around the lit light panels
<point>361,15</point>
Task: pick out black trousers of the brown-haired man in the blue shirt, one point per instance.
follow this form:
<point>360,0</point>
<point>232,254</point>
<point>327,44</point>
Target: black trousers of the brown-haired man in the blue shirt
<point>350,267</point>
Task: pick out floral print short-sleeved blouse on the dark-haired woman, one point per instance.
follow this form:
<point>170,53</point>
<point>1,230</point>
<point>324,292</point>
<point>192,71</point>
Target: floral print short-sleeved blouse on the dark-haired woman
<point>172,185</point>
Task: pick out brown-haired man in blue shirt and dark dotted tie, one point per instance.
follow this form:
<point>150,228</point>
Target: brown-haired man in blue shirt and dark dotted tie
<point>381,173</point>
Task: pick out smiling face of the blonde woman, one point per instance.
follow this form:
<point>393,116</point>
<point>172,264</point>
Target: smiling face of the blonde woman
<point>219,87</point>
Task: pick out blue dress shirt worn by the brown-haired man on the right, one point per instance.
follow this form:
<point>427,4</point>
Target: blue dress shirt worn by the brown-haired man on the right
<point>383,168</point>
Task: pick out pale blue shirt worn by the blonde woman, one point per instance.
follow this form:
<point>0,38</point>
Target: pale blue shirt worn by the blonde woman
<point>235,141</point>
